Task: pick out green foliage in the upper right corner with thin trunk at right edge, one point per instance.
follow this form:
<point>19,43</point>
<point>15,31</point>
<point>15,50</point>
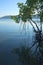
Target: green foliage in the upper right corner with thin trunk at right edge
<point>36,6</point>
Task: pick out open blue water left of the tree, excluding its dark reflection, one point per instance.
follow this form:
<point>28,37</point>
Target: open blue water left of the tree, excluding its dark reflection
<point>13,35</point>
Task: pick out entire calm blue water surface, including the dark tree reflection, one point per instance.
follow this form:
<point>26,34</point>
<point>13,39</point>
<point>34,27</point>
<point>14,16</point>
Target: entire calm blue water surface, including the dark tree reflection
<point>12,37</point>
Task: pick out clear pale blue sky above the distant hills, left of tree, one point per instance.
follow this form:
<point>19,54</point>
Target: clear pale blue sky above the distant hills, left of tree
<point>9,7</point>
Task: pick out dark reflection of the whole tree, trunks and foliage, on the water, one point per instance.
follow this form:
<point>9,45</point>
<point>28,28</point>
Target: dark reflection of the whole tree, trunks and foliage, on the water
<point>26,57</point>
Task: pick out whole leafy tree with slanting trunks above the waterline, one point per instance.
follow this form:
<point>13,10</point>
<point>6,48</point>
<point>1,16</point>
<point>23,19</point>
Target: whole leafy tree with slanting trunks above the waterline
<point>28,10</point>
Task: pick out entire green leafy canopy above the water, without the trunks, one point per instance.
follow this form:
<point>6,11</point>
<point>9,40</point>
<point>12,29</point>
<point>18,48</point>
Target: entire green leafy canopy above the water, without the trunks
<point>26,10</point>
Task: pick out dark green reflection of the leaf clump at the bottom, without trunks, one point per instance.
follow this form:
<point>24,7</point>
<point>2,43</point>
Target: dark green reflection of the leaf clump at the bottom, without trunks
<point>25,56</point>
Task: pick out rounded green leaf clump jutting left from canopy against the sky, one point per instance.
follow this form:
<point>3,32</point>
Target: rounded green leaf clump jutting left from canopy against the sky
<point>24,11</point>
